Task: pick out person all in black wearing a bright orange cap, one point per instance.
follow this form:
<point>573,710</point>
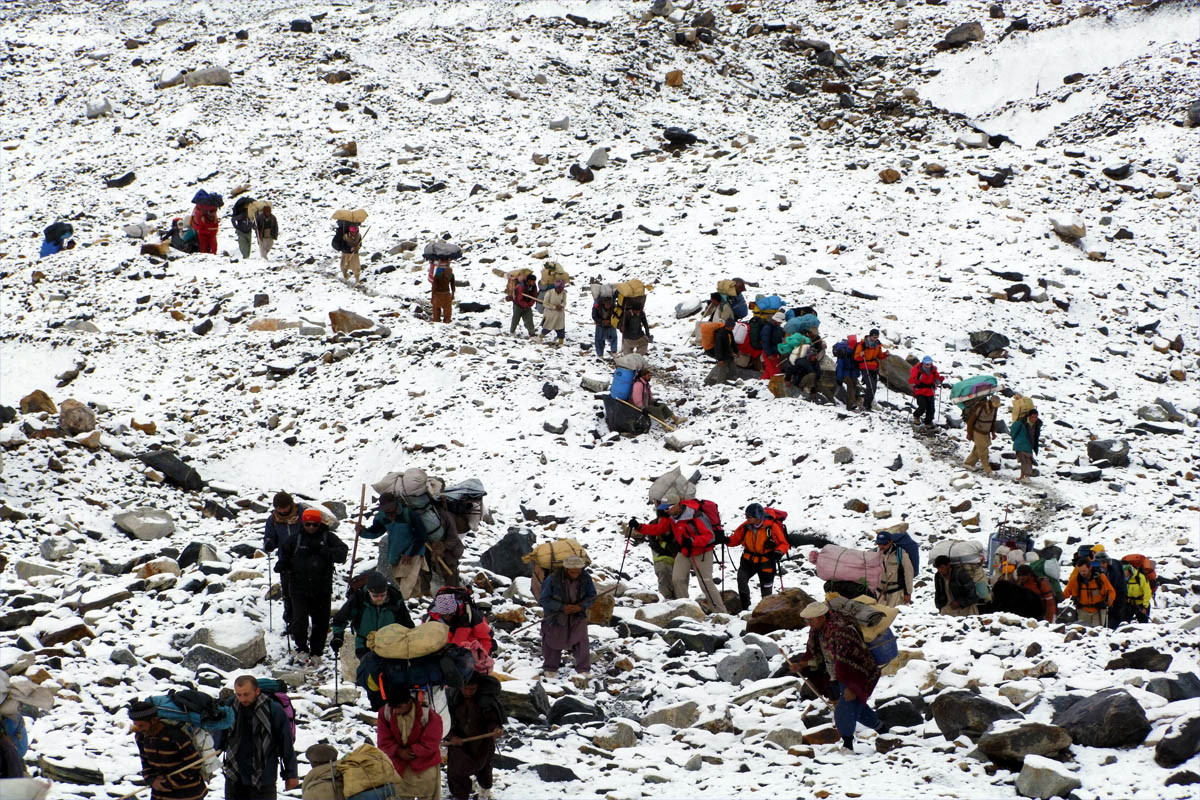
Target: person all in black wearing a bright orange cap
<point>310,557</point>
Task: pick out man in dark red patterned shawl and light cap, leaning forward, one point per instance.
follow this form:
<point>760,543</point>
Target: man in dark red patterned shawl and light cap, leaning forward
<point>839,665</point>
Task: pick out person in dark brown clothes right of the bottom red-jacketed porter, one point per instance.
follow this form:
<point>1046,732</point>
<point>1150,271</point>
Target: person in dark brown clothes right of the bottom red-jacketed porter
<point>476,712</point>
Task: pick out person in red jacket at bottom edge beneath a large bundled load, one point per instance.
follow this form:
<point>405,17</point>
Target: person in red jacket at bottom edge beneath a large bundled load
<point>412,738</point>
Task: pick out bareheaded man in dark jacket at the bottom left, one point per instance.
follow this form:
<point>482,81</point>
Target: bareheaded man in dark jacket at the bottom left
<point>261,739</point>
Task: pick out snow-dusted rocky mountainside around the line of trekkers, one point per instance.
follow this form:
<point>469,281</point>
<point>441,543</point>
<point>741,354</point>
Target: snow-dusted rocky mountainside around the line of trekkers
<point>922,169</point>
